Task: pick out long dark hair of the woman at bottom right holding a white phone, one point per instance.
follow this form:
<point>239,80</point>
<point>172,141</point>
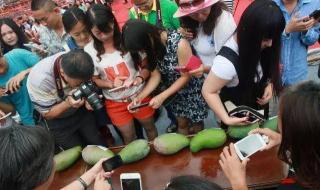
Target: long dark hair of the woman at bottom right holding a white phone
<point>300,127</point>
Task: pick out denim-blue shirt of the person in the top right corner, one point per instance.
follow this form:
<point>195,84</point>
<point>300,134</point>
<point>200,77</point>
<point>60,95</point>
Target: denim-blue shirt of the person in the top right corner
<point>295,45</point>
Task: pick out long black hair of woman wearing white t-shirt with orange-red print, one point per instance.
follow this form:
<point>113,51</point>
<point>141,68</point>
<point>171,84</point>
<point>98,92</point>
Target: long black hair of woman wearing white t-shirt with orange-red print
<point>102,17</point>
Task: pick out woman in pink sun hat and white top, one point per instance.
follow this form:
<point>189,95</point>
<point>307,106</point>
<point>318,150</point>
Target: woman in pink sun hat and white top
<point>208,25</point>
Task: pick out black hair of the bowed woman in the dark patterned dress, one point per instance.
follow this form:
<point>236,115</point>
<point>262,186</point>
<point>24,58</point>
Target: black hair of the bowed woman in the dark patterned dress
<point>140,36</point>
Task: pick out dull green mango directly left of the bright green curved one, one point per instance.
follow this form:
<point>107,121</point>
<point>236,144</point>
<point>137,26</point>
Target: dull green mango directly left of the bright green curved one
<point>170,143</point>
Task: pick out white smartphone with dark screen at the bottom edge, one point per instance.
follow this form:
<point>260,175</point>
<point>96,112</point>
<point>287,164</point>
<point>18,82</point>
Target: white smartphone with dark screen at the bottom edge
<point>130,181</point>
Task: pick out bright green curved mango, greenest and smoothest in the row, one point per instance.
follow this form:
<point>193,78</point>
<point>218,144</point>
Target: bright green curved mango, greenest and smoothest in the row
<point>208,138</point>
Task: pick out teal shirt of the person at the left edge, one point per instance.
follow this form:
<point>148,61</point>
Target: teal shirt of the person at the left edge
<point>19,60</point>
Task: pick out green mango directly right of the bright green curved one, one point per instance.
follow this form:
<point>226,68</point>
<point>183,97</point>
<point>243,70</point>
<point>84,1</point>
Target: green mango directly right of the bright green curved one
<point>239,132</point>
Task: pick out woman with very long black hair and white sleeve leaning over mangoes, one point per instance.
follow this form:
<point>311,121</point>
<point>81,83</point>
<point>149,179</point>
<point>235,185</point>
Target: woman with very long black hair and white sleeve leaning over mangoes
<point>246,70</point>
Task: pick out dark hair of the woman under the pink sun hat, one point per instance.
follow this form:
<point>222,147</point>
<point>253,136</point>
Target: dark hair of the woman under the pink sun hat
<point>209,24</point>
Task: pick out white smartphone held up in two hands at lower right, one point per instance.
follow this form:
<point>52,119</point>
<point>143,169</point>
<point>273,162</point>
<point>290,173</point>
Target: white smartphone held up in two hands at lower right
<point>250,145</point>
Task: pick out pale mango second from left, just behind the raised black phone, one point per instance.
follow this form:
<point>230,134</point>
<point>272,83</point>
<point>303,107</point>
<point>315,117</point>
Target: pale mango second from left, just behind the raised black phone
<point>91,154</point>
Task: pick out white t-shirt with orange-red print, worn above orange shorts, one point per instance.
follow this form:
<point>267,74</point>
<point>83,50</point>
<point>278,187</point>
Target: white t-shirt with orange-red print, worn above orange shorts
<point>111,66</point>
